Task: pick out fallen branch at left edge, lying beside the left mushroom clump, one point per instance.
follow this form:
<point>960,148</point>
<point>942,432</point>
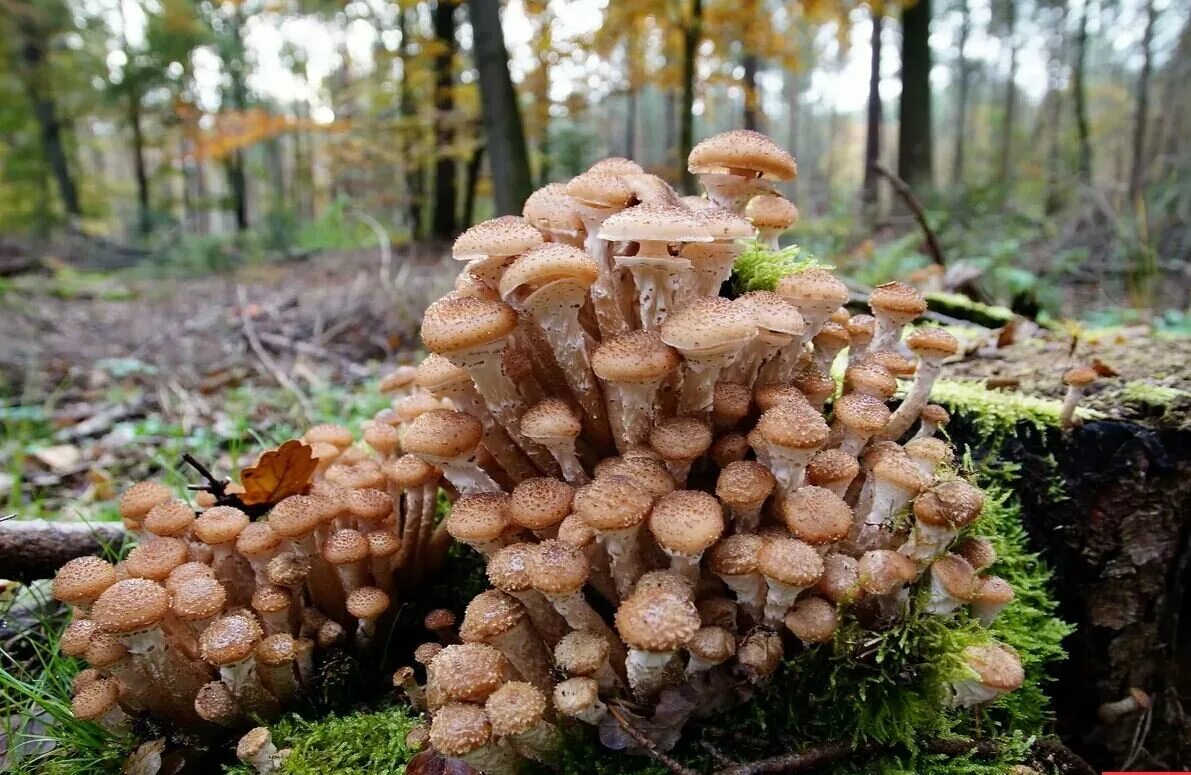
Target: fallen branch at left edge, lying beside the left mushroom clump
<point>35,548</point>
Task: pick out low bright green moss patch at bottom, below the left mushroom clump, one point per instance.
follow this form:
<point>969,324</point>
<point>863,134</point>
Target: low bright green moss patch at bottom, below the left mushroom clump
<point>372,743</point>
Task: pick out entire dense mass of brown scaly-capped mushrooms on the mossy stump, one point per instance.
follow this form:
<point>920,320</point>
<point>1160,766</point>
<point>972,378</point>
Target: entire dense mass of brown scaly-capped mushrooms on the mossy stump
<point>668,487</point>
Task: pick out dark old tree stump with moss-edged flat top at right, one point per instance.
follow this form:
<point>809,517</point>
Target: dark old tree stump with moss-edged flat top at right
<point>1108,505</point>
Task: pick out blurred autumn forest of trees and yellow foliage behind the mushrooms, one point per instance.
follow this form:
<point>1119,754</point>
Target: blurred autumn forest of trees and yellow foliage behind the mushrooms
<point>1049,140</point>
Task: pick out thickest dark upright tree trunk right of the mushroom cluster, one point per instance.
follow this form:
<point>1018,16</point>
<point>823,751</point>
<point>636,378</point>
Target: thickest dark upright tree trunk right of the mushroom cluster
<point>915,146</point>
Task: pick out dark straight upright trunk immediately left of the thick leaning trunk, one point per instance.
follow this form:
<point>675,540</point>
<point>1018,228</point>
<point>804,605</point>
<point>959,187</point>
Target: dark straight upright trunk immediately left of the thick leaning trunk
<point>445,105</point>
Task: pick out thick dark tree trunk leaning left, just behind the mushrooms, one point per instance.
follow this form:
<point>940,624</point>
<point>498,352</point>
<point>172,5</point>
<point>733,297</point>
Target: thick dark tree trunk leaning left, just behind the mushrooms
<point>508,154</point>
